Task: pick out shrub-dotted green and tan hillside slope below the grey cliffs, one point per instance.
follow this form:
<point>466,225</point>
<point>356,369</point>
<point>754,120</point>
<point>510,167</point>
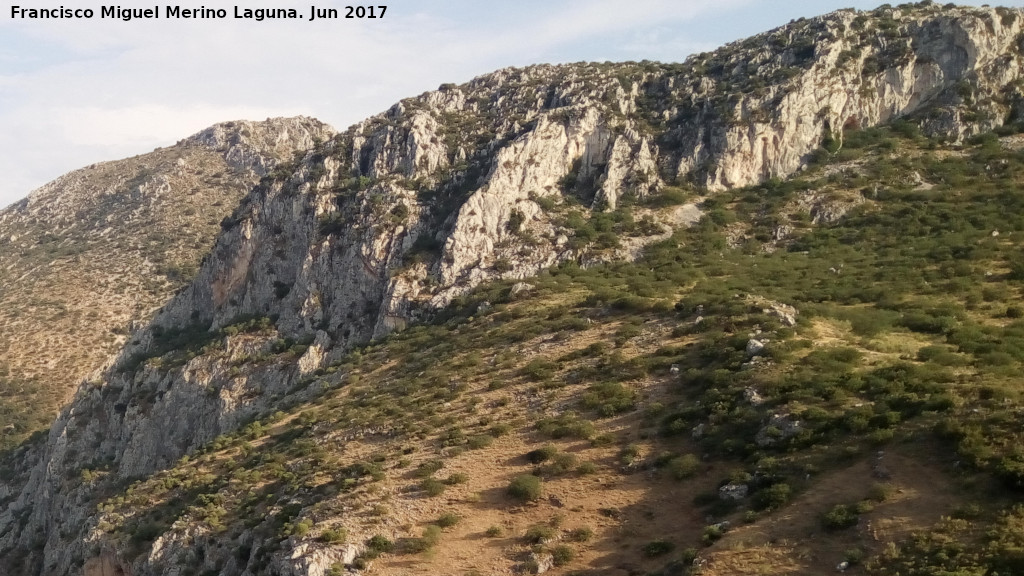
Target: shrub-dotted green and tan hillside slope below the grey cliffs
<point>843,392</point>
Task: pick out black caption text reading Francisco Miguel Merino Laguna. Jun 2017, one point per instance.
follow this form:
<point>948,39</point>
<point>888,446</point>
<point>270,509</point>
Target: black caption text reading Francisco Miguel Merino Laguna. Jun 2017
<point>202,13</point>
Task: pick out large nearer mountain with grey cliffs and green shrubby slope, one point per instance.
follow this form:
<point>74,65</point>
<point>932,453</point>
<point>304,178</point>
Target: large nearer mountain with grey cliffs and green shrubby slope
<point>754,313</point>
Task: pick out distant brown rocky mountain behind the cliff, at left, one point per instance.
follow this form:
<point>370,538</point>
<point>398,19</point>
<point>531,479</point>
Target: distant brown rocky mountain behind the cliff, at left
<point>91,257</point>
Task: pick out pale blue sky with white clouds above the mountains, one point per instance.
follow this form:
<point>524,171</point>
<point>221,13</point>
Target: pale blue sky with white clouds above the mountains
<point>78,92</point>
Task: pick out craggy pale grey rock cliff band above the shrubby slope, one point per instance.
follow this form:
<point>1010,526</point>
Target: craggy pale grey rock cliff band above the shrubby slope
<point>499,179</point>
